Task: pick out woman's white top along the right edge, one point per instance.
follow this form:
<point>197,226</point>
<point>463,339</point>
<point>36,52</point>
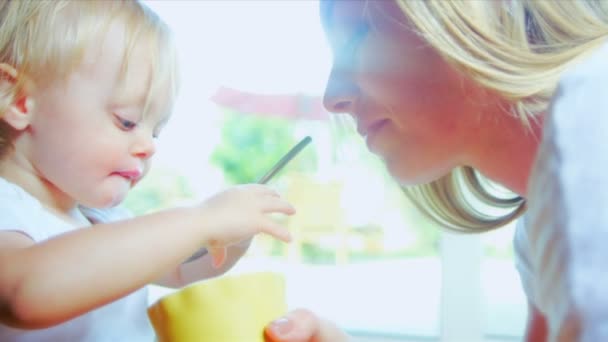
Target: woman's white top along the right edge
<point>562,249</point>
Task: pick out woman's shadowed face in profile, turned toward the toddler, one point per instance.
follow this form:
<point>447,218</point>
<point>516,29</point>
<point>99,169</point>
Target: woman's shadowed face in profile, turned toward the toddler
<point>414,109</point>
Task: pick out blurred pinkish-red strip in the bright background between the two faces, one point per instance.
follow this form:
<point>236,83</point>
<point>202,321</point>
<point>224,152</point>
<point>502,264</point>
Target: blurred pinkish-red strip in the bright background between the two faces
<point>294,106</point>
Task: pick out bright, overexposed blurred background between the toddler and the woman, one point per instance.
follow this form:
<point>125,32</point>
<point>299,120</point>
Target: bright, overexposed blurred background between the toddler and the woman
<point>253,73</point>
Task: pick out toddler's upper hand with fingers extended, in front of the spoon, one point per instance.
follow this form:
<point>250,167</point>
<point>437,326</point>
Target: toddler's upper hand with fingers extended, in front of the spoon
<point>239,213</point>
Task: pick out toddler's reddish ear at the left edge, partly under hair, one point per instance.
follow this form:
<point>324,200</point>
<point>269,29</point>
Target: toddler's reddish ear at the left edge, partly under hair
<point>17,114</point>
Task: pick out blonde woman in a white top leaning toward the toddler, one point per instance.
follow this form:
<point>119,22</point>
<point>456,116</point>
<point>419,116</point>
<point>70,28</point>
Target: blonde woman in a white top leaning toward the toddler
<point>454,96</point>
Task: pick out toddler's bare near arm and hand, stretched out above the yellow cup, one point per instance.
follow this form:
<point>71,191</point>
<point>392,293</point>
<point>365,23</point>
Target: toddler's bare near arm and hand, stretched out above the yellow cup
<point>47,283</point>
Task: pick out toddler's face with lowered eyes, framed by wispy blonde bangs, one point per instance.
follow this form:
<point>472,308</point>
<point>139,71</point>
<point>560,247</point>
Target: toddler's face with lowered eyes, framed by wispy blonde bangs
<point>89,138</point>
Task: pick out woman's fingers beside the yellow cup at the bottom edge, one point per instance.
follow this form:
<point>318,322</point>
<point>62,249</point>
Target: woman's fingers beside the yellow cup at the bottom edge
<point>303,326</point>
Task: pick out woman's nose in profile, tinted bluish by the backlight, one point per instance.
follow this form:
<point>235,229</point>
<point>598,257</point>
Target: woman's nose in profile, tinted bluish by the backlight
<point>340,93</point>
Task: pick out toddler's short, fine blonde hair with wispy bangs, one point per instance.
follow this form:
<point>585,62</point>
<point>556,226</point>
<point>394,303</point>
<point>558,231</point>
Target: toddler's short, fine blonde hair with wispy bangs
<point>46,40</point>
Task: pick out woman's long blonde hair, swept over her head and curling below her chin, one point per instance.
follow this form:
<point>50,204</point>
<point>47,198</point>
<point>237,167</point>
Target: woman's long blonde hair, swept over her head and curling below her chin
<point>516,48</point>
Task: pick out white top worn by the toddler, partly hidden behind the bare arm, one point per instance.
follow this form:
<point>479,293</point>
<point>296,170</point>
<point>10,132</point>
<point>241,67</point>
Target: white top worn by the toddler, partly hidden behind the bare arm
<point>122,320</point>
